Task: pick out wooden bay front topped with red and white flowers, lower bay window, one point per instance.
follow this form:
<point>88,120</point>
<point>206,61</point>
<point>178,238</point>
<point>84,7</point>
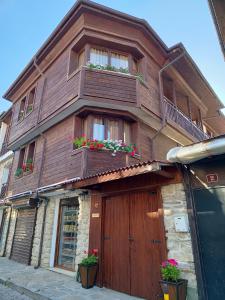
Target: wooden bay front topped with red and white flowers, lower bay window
<point>98,156</point>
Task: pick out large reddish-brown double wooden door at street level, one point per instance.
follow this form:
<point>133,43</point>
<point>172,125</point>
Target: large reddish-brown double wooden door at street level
<point>133,244</point>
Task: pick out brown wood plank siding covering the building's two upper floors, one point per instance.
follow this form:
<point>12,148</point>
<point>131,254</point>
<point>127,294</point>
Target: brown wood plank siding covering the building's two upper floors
<point>67,91</point>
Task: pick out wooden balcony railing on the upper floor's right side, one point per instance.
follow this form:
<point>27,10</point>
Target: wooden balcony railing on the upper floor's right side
<point>173,113</point>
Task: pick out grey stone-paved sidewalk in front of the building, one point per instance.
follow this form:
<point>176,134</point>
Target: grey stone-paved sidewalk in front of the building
<point>46,284</point>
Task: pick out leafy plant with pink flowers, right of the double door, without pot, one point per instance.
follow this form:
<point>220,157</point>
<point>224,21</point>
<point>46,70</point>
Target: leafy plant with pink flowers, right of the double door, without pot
<point>170,270</point>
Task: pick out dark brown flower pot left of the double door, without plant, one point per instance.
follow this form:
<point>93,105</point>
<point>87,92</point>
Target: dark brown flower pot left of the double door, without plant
<point>88,275</point>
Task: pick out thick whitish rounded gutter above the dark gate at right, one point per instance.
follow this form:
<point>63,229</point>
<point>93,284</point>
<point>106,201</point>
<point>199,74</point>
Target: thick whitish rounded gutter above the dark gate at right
<point>195,152</point>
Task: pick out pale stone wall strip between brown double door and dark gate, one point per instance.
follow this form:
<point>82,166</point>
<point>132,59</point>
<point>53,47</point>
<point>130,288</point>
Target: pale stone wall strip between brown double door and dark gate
<point>179,243</point>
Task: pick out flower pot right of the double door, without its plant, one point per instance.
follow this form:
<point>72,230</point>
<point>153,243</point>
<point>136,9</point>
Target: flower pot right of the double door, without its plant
<point>175,290</point>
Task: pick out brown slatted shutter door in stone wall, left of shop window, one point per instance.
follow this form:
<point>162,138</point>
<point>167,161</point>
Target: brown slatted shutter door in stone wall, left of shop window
<point>23,236</point>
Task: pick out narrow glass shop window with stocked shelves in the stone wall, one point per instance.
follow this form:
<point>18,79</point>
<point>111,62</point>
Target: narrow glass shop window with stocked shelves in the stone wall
<point>67,234</point>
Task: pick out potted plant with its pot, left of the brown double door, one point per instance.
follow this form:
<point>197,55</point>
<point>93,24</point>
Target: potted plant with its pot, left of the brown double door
<point>88,269</point>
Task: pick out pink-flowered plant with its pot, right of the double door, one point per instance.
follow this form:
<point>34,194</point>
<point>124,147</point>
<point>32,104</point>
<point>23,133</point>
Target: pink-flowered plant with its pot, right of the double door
<point>173,287</point>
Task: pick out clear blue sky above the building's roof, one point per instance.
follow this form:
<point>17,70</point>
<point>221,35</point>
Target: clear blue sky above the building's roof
<point>26,24</point>
